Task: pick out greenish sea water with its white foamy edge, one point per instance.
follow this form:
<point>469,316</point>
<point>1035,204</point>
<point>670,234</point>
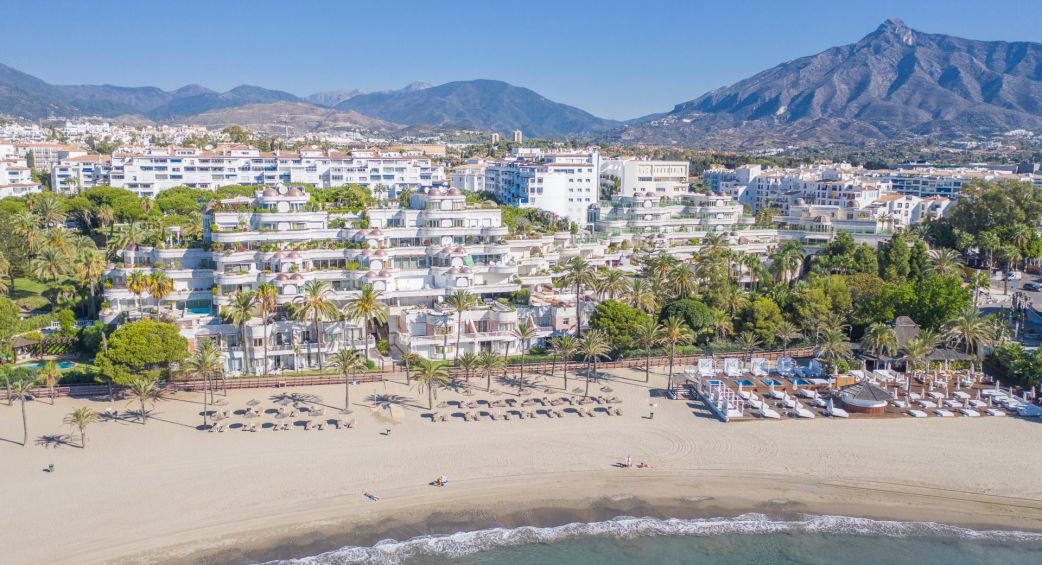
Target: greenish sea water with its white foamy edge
<point>751,538</point>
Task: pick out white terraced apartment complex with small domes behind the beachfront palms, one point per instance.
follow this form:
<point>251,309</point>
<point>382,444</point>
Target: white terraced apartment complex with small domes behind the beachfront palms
<point>413,256</point>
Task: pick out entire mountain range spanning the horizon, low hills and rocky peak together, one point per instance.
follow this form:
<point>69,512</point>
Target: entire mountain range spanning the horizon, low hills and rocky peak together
<point>895,83</point>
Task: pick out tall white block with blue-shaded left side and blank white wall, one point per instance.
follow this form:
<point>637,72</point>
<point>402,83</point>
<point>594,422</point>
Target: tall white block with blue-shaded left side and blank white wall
<point>566,184</point>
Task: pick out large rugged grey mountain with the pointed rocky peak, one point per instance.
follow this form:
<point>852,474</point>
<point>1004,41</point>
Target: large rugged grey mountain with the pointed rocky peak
<point>894,83</point>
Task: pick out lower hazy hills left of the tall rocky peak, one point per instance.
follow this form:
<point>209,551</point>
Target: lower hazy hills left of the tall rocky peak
<point>472,105</point>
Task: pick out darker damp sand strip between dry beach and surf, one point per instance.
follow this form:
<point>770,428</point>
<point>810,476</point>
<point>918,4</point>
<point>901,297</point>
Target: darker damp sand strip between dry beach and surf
<point>497,504</point>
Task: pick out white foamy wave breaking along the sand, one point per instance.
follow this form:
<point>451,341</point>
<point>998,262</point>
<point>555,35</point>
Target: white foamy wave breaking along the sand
<point>465,544</point>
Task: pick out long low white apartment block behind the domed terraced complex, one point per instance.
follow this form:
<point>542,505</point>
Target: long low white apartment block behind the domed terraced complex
<point>148,171</point>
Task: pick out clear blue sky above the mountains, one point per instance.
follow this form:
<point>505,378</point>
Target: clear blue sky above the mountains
<point>614,59</point>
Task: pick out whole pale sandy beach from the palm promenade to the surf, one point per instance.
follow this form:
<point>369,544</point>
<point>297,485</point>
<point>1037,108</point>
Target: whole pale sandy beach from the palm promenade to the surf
<point>168,493</point>
